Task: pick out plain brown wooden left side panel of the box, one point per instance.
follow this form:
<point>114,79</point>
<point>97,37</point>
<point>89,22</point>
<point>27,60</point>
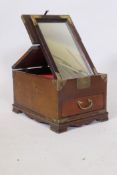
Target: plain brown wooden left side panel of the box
<point>35,93</point>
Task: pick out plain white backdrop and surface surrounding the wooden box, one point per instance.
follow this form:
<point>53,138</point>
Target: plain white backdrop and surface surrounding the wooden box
<point>30,148</point>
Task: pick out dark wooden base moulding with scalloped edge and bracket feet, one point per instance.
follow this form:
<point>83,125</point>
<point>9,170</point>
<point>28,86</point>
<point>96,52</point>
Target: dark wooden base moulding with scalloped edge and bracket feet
<point>62,125</point>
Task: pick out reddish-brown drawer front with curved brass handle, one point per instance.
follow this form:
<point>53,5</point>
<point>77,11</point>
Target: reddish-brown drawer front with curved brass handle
<point>83,105</point>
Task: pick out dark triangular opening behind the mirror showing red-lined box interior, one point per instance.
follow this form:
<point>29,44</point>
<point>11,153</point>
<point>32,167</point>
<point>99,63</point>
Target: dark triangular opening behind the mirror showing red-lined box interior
<point>34,62</point>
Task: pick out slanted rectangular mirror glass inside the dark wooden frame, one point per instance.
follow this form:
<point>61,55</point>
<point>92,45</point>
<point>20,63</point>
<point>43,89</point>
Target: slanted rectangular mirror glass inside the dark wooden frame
<point>65,52</point>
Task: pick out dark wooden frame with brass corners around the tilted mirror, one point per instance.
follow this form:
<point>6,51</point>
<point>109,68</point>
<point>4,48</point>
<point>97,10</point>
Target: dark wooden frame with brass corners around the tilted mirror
<point>31,24</point>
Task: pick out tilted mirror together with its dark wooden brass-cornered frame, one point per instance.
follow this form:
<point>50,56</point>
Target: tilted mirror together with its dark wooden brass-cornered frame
<point>60,44</point>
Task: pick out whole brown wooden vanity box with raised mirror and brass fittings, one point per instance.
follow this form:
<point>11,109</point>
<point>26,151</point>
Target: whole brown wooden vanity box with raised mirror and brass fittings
<point>55,81</point>
